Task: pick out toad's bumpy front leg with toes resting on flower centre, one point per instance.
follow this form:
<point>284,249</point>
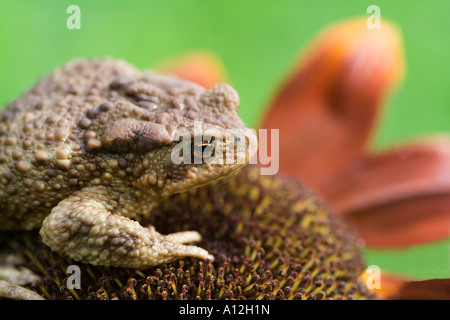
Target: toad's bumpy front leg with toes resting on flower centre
<point>85,228</point>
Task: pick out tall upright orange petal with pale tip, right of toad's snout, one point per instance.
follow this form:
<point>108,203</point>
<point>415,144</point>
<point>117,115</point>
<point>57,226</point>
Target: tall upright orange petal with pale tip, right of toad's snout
<point>327,108</point>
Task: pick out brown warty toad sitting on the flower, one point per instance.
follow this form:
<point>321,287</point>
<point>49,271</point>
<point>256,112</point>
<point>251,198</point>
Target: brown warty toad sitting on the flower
<point>88,152</point>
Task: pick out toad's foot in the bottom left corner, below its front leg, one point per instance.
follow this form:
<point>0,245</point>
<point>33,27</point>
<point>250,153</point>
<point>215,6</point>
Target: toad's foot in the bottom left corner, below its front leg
<point>12,279</point>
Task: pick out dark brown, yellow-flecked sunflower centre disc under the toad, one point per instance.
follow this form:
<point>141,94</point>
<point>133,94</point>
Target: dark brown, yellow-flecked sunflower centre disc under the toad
<point>271,239</point>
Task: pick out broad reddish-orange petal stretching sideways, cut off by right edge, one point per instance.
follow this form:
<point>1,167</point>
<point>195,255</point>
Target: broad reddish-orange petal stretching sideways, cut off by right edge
<point>398,198</point>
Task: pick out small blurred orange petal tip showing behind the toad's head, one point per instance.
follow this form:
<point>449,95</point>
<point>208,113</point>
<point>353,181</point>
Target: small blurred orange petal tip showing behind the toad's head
<point>203,68</point>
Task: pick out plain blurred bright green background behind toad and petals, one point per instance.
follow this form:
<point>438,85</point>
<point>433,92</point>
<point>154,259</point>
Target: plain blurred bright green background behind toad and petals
<point>258,42</point>
